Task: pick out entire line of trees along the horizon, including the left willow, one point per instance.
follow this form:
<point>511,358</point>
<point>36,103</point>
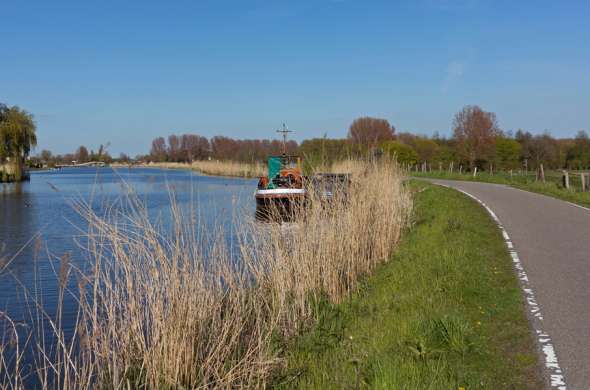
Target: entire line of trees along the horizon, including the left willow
<point>477,140</point>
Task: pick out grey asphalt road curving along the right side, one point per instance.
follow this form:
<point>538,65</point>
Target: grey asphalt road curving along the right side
<point>552,239</point>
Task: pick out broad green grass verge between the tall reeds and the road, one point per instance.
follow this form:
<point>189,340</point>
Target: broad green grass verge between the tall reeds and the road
<point>445,313</point>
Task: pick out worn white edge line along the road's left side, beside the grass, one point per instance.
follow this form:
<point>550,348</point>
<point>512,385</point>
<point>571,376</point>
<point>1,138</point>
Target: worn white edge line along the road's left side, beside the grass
<point>554,372</point>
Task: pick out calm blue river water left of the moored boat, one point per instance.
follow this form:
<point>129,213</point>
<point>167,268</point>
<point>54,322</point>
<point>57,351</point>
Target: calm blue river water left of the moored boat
<point>43,208</point>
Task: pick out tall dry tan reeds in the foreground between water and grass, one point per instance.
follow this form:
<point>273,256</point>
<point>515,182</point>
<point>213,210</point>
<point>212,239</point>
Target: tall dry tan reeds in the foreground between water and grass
<point>179,307</point>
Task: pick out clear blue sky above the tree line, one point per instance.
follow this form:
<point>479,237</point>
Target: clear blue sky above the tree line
<point>125,72</point>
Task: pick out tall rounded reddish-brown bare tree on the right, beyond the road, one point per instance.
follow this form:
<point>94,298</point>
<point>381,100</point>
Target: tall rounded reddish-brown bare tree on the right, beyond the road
<point>475,131</point>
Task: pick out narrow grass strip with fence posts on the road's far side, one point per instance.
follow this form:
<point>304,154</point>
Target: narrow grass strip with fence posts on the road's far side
<point>553,186</point>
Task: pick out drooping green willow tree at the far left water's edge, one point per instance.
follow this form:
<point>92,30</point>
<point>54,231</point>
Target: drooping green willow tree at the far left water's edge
<point>17,137</point>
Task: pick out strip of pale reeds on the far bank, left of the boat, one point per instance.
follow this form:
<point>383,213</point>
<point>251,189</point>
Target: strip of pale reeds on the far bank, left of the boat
<point>213,168</point>
